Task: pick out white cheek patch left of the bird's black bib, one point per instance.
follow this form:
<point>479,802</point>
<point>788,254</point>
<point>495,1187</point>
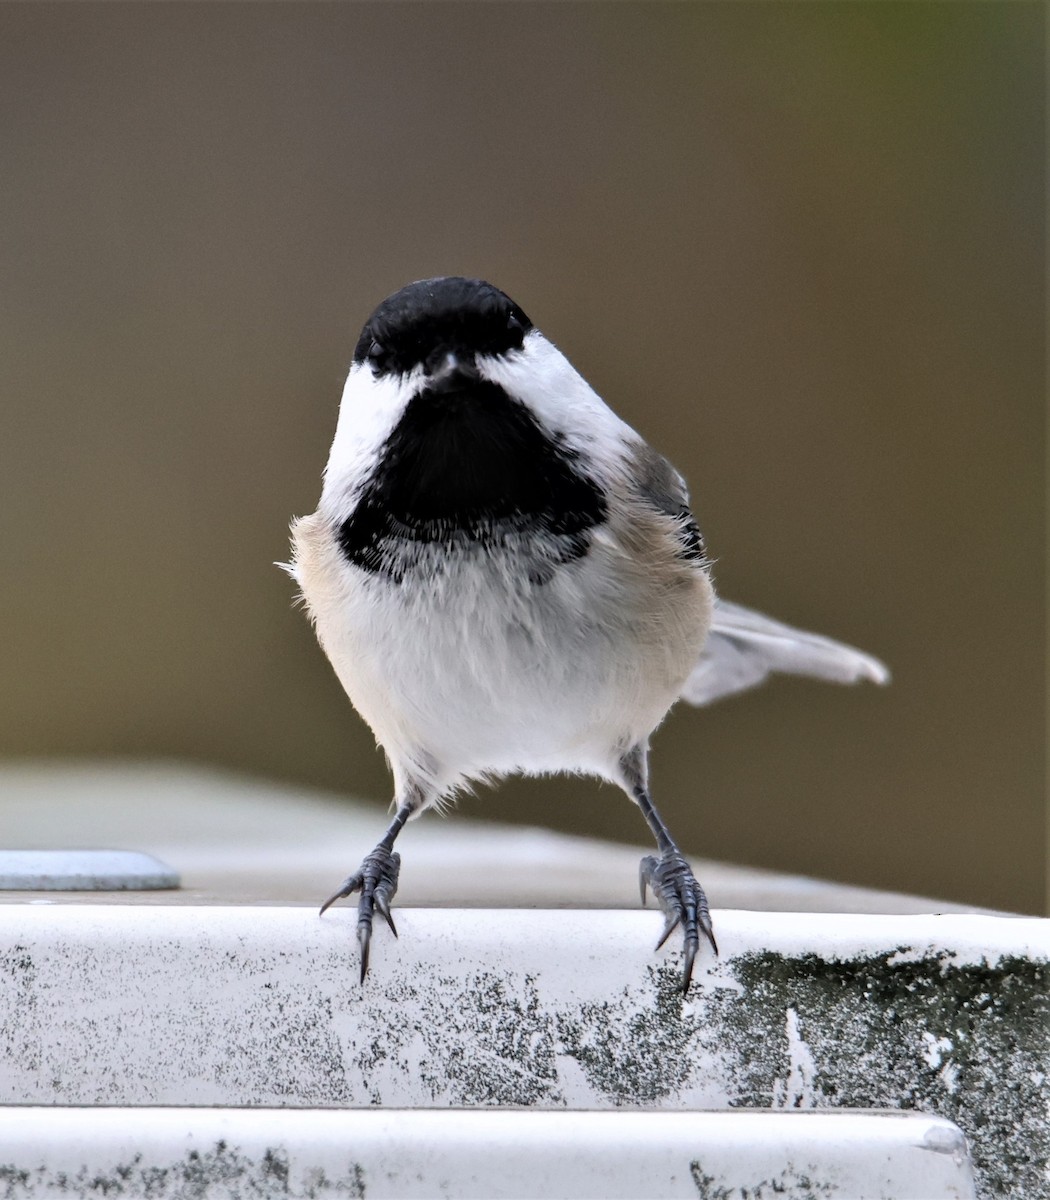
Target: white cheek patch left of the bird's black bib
<point>369,413</point>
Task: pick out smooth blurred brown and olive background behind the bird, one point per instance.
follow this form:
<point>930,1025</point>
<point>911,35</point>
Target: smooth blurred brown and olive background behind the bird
<point>800,247</point>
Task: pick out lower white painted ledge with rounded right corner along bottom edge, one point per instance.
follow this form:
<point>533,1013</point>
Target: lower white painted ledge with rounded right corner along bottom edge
<point>178,1154</point>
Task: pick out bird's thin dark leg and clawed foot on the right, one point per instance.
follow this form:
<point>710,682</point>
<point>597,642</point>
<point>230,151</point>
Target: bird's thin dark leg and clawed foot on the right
<point>669,875</point>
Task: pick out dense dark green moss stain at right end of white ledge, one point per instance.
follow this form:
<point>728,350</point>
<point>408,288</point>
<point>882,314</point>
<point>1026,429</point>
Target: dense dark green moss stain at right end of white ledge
<point>969,1042</point>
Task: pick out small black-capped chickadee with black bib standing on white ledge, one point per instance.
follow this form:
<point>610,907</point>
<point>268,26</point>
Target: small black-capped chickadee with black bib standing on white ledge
<point>507,579</point>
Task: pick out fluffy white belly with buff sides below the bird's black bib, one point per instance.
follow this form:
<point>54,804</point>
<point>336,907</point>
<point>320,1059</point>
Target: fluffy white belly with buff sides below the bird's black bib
<point>481,671</point>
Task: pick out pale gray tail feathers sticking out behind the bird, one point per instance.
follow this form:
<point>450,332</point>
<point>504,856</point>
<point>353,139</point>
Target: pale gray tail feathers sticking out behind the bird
<point>745,649</point>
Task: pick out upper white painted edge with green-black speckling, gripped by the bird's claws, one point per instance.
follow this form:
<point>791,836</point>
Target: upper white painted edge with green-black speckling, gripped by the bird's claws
<point>548,1010</point>
